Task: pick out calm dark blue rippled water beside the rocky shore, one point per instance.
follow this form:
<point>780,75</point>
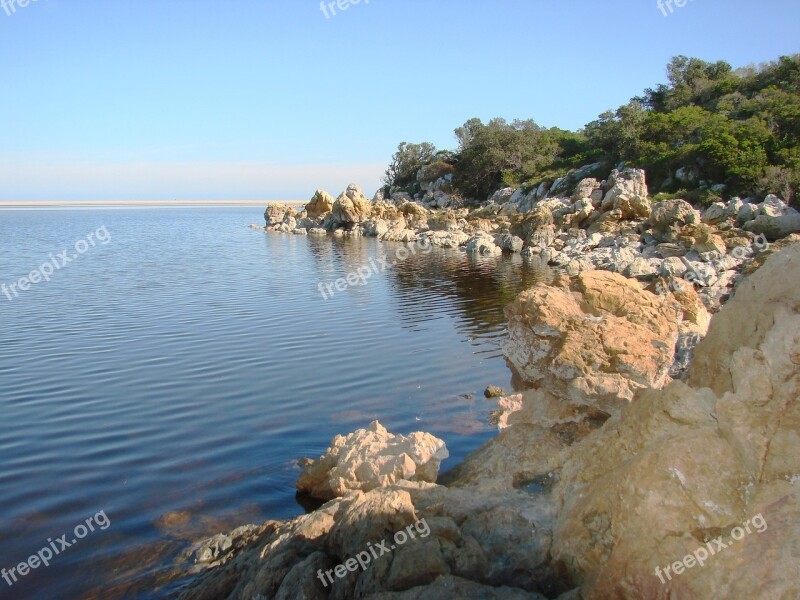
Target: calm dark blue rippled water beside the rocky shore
<point>172,377</point>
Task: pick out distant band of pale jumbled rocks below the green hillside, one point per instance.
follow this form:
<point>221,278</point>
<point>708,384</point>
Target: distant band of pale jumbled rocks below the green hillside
<point>577,223</point>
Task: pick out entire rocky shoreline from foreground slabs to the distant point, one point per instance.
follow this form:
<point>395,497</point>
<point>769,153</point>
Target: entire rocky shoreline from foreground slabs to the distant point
<point>647,430</point>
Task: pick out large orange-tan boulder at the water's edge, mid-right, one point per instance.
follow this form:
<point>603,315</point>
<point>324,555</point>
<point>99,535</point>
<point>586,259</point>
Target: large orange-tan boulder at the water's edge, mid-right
<point>599,333</point>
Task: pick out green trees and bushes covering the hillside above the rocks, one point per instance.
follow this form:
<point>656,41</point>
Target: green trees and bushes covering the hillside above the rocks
<point>710,126</point>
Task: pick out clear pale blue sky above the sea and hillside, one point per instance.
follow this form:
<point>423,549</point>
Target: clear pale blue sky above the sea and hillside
<point>273,99</point>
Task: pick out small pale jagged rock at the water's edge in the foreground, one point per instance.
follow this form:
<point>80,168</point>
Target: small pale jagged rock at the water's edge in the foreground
<point>371,458</point>
